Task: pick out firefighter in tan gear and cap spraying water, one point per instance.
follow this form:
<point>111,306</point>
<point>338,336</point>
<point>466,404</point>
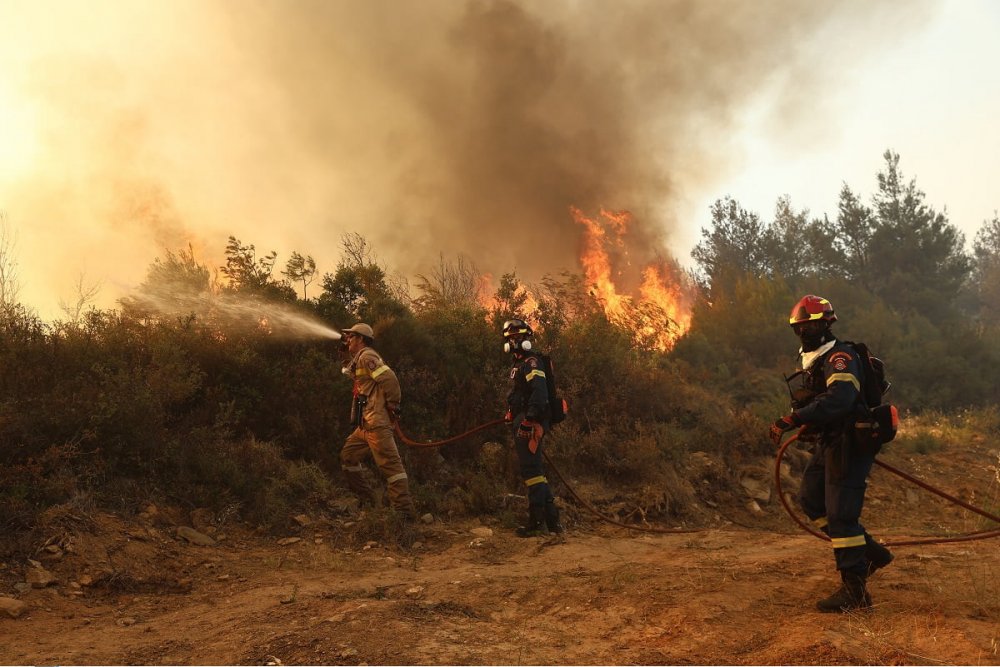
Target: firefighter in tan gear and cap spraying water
<point>376,401</point>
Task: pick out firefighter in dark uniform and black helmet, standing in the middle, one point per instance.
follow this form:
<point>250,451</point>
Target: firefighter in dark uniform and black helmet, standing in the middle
<point>529,414</point>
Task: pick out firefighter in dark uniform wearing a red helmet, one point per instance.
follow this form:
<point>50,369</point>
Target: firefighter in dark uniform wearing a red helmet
<point>826,402</point>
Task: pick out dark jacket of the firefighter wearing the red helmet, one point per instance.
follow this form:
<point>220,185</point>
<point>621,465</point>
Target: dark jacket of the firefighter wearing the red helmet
<point>831,389</point>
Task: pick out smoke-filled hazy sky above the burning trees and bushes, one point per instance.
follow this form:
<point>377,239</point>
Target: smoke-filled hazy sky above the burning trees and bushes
<point>442,128</point>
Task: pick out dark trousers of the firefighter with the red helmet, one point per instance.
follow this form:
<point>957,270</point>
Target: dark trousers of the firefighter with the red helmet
<point>833,493</point>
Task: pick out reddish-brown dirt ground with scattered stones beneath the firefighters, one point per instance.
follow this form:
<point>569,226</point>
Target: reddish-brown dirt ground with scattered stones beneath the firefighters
<point>134,593</point>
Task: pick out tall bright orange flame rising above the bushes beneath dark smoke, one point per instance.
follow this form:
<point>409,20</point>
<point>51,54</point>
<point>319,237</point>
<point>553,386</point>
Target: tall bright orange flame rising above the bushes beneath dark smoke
<point>660,312</point>
